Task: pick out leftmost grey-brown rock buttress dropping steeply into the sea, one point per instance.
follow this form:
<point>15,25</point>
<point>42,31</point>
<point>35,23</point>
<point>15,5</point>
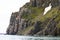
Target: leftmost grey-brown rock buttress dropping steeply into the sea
<point>14,23</point>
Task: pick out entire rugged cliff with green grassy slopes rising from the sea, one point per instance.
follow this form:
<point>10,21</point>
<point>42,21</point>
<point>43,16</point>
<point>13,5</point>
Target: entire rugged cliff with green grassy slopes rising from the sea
<point>30,21</point>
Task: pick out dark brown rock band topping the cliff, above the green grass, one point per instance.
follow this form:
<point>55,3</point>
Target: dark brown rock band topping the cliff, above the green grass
<point>44,3</point>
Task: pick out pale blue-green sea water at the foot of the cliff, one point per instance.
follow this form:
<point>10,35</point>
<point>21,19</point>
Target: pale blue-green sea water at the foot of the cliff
<point>16,37</point>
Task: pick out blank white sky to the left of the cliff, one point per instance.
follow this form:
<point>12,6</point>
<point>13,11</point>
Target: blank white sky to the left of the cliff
<point>6,9</point>
